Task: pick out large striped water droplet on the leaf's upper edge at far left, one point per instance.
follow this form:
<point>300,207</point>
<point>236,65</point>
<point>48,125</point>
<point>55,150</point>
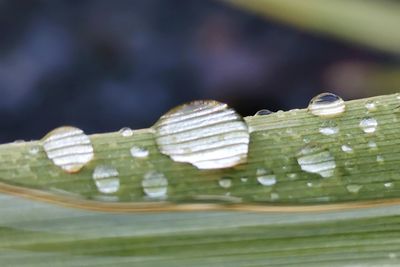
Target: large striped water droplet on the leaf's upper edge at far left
<point>69,148</point>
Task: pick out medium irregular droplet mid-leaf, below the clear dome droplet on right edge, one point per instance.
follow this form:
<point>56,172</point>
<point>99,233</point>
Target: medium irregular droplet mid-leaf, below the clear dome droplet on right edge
<point>314,159</point>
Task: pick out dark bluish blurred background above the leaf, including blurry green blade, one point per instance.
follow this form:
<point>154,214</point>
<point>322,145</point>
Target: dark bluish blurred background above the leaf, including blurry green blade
<point>101,65</point>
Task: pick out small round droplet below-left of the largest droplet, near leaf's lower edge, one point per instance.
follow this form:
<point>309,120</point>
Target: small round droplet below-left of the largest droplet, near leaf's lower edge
<point>155,185</point>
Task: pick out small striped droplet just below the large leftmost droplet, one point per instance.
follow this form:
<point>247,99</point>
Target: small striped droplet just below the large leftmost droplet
<point>106,179</point>
